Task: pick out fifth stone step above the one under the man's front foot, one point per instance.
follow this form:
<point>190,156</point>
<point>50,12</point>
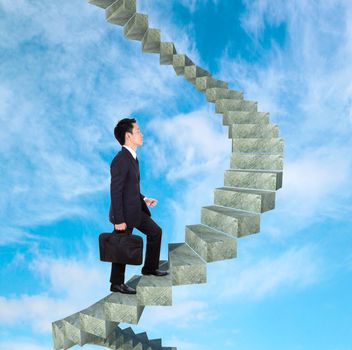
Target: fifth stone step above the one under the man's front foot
<point>256,179</point>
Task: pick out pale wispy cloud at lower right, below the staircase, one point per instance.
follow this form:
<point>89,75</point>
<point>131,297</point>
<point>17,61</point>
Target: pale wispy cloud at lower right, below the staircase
<point>293,269</point>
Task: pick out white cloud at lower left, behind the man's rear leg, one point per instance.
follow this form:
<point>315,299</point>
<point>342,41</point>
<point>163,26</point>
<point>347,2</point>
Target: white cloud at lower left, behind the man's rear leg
<point>70,286</point>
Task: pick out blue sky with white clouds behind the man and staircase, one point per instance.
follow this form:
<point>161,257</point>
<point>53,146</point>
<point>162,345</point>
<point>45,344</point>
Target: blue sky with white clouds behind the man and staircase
<point>67,76</point>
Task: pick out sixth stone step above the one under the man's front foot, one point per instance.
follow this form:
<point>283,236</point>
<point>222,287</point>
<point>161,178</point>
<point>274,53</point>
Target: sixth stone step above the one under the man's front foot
<point>256,161</point>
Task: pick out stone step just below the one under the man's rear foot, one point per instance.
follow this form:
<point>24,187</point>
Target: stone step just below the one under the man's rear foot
<point>92,320</point>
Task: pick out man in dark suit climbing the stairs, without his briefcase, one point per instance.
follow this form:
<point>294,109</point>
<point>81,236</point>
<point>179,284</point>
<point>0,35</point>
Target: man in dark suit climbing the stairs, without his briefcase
<point>128,207</point>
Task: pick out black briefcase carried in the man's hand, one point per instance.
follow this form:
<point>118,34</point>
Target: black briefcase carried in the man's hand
<point>121,247</point>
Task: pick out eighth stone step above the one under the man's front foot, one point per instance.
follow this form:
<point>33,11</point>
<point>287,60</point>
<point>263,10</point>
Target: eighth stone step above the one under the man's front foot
<point>253,131</point>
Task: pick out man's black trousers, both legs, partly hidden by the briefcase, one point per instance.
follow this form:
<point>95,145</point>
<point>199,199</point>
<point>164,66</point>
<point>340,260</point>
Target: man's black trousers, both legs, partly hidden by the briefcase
<point>152,256</point>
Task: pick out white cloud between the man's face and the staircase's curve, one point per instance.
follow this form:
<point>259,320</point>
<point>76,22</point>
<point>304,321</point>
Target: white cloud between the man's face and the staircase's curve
<point>189,145</point>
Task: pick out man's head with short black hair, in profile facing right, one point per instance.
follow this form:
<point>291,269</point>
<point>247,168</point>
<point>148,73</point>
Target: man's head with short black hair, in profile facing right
<point>127,133</point>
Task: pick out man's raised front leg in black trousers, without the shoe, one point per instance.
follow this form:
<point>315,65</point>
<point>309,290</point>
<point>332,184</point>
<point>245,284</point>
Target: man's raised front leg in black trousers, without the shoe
<point>153,231</point>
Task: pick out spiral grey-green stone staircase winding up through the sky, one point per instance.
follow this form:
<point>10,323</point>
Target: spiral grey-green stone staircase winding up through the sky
<point>249,189</point>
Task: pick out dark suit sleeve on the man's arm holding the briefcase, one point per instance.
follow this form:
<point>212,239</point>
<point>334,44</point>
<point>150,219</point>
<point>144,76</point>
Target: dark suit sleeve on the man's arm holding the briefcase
<point>118,171</point>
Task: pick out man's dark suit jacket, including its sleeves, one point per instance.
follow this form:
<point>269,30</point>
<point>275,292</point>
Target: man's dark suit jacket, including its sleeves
<point>127,201</point>
